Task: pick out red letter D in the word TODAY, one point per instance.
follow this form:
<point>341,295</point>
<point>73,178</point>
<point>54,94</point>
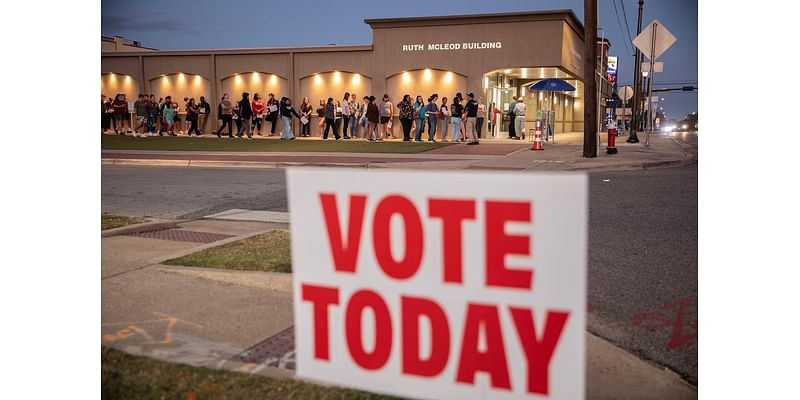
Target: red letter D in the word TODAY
<point>412,309</point>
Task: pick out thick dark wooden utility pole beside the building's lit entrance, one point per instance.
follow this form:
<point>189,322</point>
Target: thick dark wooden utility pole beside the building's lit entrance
<point>590,79</point>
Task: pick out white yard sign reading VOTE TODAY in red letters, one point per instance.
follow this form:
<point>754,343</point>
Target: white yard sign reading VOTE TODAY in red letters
<point>441,285</point>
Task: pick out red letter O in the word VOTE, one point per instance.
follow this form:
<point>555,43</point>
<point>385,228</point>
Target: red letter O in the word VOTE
<point>409,264</point>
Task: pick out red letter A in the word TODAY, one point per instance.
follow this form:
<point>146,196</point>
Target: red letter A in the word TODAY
<point>493,360</point>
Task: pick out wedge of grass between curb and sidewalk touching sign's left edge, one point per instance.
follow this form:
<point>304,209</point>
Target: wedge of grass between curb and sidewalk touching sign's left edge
<point>266,252</point>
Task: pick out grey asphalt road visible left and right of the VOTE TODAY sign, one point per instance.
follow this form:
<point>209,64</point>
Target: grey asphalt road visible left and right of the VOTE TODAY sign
<point>642,250</point>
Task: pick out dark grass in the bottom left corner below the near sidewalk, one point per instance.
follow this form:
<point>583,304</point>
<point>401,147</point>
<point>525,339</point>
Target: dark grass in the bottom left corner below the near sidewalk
<point>124,376</point>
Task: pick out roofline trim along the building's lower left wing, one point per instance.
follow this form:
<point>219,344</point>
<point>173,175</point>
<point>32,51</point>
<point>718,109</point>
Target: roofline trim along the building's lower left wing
<point>240,51</point>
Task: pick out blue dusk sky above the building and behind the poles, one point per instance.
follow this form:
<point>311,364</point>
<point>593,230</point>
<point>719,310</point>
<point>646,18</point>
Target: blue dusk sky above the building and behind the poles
<point>181,24</point>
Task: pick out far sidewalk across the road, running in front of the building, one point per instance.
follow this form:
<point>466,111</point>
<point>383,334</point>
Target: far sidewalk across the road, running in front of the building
<point>492,154</point>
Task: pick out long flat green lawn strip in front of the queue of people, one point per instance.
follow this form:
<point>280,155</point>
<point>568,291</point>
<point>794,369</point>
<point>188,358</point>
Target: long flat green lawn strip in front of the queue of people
<point>109,142</point>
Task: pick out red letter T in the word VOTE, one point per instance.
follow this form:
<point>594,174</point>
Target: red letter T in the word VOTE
<point>452,212</point>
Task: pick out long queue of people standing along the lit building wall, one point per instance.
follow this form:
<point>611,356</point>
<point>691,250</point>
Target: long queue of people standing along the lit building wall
<point>461,120</point>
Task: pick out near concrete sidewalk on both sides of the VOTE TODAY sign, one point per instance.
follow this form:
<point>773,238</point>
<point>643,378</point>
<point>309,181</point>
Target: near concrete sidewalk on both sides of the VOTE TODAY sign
<point>243,321</point>
